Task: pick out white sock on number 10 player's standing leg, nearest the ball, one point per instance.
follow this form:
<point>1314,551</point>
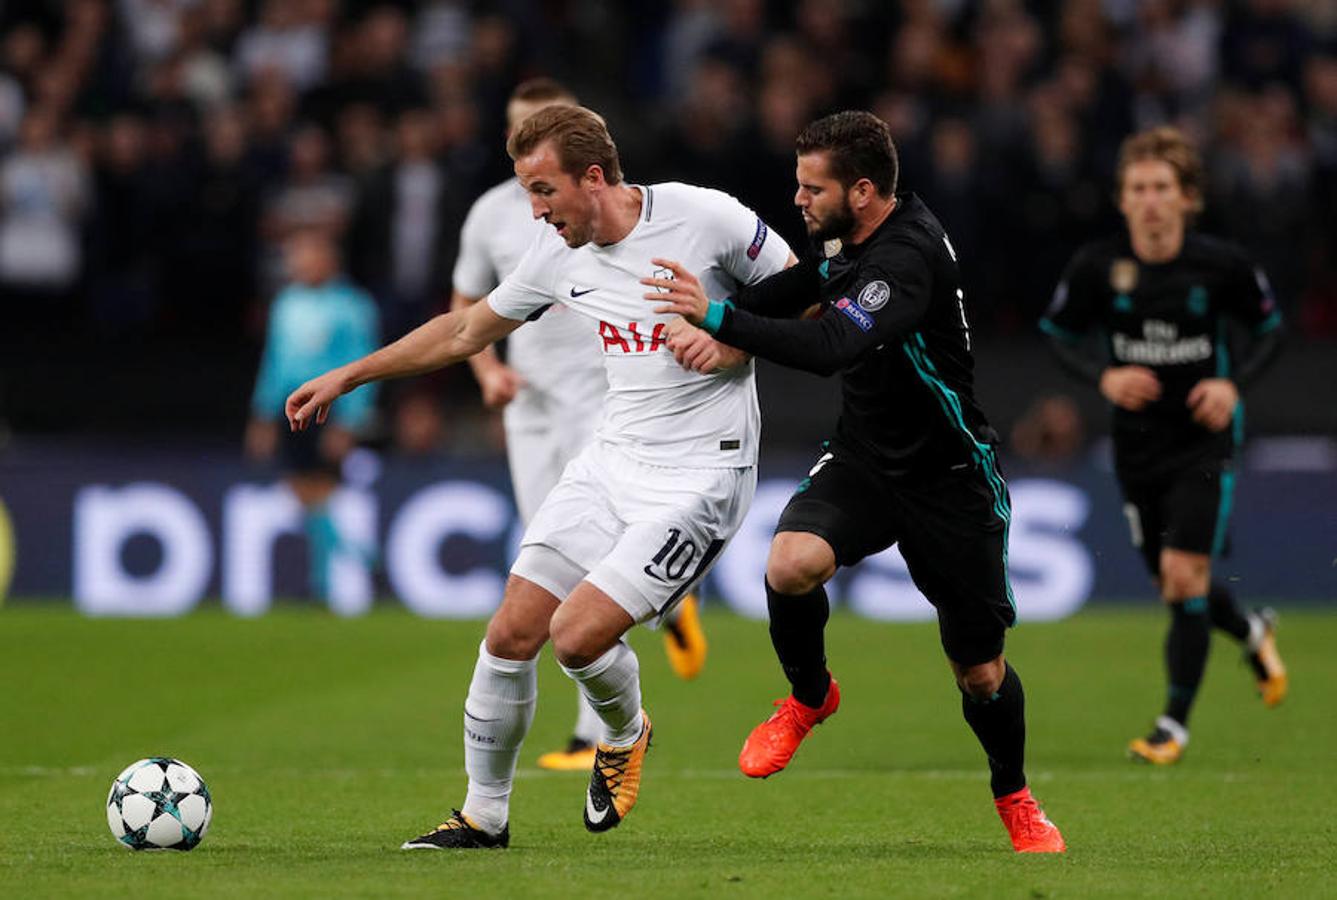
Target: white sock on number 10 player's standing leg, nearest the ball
<point>497,717</point>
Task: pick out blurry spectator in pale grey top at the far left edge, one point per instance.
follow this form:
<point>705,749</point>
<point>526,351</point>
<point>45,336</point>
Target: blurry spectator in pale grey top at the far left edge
<point>43,200</point>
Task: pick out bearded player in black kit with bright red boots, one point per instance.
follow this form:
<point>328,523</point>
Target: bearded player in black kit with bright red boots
<point>911,461</point>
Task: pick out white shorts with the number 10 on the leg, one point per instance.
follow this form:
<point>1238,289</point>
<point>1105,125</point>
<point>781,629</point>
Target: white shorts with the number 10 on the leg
<point>642,534</point>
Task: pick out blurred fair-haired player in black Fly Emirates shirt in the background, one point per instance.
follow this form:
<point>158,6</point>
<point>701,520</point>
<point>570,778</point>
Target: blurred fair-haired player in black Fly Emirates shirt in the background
<point>1163,296</point>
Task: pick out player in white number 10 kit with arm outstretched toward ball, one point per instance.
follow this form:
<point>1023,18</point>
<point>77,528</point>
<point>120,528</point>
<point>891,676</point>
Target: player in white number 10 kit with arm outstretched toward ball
<point>644,512</point>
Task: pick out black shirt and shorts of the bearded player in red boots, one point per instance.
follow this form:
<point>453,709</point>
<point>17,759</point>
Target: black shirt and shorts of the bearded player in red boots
<point>913,458</point>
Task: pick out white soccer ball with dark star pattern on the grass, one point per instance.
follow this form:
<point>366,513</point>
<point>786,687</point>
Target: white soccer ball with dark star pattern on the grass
<point>160,804</point>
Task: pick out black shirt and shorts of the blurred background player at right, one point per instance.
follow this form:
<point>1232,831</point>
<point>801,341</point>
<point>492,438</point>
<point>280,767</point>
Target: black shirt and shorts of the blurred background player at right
<point>1173,319</point>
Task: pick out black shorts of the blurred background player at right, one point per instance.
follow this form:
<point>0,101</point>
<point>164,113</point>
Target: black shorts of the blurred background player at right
<point>1187,510</point>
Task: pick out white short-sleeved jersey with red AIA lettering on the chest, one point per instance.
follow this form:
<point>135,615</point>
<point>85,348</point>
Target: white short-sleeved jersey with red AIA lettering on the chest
<point>656,410</point>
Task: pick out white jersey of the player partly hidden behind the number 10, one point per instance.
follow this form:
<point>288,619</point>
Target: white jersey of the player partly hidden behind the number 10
<point>498,231</point>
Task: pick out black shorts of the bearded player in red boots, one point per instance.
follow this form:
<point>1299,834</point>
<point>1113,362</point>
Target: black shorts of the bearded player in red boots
<point>951,528</point>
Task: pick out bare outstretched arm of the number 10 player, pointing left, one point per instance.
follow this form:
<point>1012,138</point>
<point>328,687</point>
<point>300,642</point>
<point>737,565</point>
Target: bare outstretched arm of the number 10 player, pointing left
<point>438,343</point>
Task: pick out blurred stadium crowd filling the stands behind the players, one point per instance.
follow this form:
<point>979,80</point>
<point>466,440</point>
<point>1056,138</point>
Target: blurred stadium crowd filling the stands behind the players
<point>154,154</point>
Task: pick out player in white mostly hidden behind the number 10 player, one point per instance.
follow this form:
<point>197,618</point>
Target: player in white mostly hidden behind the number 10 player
<point>552,388</point>
